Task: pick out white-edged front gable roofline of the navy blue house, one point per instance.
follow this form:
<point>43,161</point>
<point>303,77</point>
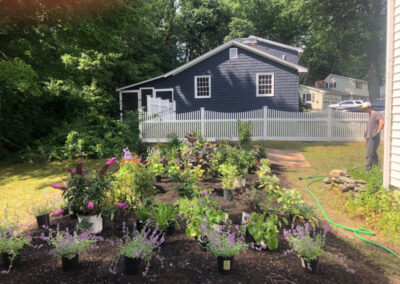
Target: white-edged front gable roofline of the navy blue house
<point>230,43</point>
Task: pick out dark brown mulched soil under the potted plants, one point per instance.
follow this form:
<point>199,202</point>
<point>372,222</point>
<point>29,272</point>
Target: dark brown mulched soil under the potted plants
<point>185,261</point>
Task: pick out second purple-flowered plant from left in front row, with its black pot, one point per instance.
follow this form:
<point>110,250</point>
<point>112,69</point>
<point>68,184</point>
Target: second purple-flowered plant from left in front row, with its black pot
<point>68,245</point>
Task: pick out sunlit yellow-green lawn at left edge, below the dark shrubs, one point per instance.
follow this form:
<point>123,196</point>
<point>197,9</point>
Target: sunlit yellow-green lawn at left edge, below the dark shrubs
<point>22,185</point>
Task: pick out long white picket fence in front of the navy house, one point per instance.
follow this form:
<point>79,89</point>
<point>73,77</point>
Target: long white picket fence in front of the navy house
<point>267,124</point>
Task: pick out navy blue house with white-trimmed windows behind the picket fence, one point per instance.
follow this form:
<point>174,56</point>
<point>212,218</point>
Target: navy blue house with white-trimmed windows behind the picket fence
<point>240,75</point>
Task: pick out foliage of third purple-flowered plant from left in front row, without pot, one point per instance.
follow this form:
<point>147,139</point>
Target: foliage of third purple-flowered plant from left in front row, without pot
<point>144,244</point>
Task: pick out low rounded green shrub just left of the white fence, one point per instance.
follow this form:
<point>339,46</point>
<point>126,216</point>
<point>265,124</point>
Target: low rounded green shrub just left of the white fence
<point>92,136</point>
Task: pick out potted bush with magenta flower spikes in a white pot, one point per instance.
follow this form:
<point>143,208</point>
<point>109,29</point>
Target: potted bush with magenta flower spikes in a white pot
<point>86,195</point>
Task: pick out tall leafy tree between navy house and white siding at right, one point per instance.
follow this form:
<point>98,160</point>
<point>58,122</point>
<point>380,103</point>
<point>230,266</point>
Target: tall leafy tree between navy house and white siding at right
<point>347,38</point>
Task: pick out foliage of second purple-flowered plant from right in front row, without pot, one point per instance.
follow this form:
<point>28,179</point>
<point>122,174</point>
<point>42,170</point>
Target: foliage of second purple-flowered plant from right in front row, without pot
<point>223,240</point>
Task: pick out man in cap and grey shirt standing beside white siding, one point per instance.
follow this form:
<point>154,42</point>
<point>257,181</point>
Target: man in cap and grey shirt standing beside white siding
<point>372,135</point>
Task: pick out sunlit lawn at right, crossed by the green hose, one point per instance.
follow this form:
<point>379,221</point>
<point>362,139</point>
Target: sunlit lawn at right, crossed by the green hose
<point>324,157</point>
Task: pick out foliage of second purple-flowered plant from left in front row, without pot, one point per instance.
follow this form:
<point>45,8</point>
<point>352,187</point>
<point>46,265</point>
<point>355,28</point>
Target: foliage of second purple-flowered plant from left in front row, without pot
<point>68,243</point>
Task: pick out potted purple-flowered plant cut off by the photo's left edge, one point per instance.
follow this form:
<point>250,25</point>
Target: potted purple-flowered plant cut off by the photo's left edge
<point>11,244</point>
